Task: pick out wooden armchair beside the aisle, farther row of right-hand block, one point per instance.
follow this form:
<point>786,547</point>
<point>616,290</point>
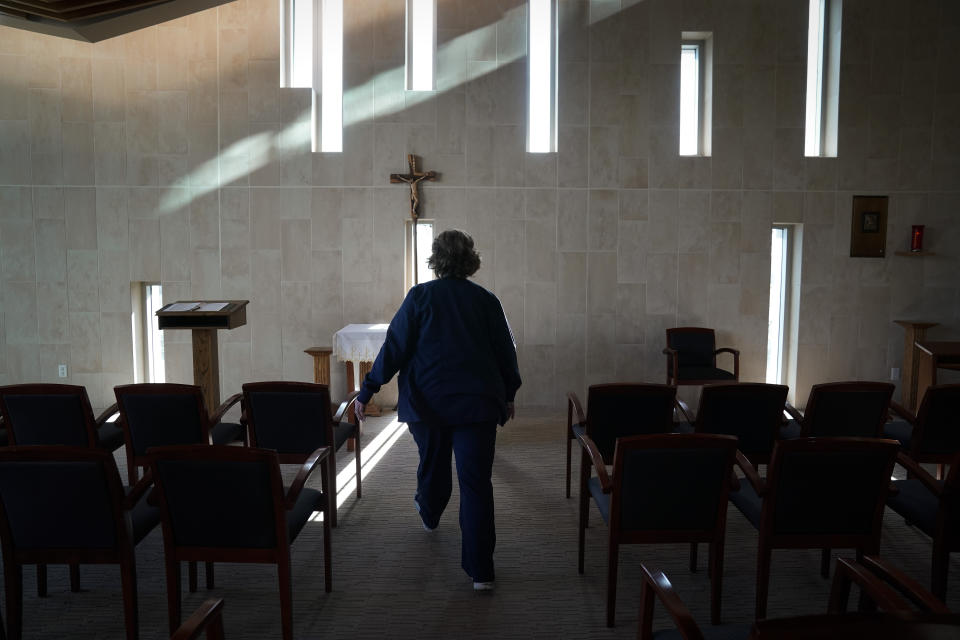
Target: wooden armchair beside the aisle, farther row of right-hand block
<point>615,410</point>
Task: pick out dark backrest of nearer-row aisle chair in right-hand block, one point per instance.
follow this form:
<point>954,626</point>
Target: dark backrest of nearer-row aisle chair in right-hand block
<point>671,487</point>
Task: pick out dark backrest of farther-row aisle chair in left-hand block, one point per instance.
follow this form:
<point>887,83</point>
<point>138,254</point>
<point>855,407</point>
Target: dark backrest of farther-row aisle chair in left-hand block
<point>292,418</point>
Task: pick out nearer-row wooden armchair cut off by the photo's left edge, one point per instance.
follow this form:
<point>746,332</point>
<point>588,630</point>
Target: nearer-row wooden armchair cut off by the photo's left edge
<point>66,505</point>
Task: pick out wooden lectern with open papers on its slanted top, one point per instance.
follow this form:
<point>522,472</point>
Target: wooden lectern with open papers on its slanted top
<point>205,319</point>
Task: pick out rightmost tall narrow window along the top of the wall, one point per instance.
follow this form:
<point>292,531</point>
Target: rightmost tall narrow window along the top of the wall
<point>823,77</point>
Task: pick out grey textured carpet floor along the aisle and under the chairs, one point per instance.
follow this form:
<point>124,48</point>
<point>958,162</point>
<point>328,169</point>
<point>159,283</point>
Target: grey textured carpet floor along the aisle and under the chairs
<point>392,579</point>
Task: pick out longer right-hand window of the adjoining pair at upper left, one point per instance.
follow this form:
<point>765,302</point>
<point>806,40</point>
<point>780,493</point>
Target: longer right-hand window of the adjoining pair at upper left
<point>331,76</point>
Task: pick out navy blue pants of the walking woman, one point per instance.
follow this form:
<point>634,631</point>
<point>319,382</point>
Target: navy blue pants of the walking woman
<point>473,445</point>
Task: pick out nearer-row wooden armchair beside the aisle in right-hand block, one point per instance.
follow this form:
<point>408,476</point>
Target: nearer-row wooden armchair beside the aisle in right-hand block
<point>665,488</point>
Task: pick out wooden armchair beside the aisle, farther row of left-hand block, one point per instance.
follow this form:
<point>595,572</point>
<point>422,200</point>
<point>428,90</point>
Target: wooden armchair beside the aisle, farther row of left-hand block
<point>294,419</point>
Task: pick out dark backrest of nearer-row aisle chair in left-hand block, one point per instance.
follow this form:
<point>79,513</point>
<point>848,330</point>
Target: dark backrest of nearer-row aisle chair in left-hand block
<point>220,497</point>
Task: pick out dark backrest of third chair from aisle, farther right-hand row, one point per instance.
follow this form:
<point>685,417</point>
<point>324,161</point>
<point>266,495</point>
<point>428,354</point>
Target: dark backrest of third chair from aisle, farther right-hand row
<point>856,409</point>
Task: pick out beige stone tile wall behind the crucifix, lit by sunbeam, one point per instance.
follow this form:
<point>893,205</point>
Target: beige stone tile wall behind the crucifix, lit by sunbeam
<point>172,155</point>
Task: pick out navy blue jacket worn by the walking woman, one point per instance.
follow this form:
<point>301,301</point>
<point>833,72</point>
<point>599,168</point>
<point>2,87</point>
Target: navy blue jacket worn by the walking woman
<point>455,353</point>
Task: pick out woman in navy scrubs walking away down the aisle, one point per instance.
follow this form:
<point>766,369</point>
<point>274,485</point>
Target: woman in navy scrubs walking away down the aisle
<point>455,353</point>
